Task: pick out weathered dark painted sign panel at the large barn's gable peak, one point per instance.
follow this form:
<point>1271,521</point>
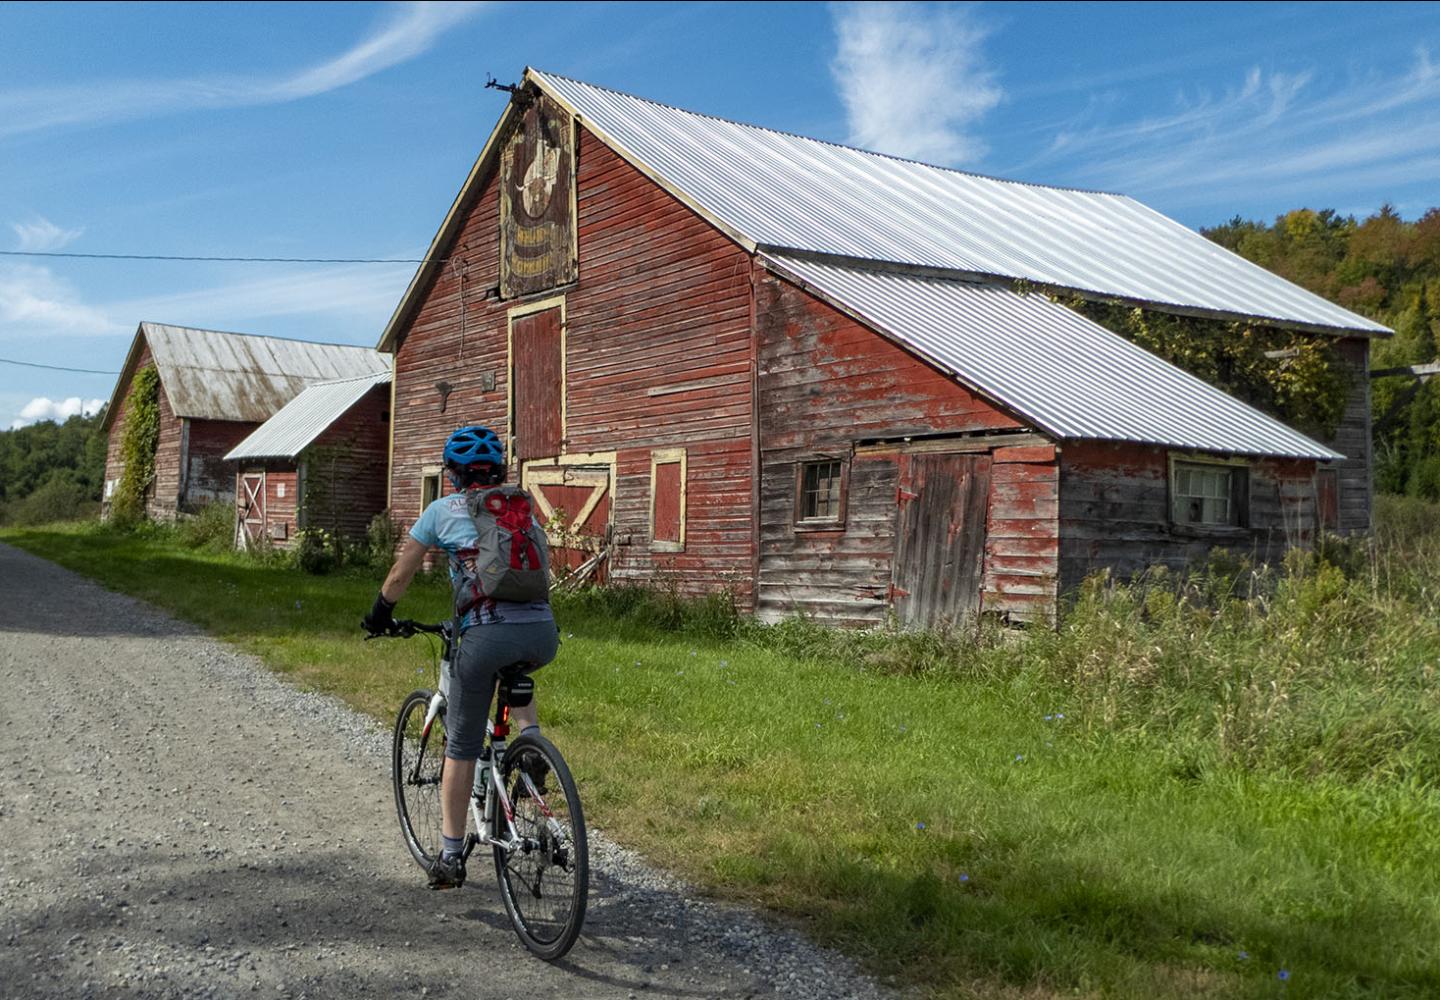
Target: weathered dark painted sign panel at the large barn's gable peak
<point>538,201</point>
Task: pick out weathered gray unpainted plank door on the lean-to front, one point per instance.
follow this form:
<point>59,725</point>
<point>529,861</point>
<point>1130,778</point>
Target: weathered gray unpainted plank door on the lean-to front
<point>940,538</point>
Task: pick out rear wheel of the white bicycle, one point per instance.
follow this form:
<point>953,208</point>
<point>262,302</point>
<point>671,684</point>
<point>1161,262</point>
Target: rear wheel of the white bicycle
<point>546,924</point>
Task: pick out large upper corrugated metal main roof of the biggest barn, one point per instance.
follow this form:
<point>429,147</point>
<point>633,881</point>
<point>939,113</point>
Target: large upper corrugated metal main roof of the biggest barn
<point>787,192</point>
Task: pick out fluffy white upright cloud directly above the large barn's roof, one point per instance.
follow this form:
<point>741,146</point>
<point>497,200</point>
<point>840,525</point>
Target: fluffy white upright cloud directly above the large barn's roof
<point>914,80</point>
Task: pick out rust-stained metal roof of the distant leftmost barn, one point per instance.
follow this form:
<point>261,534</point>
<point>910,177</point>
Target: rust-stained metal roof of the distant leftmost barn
<point>238,377</point>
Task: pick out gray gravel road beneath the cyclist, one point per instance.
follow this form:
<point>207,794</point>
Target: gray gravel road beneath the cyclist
<point>176,822</point>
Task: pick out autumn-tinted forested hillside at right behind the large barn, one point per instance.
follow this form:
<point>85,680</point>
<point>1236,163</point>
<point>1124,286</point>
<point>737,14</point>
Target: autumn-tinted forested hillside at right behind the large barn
<point>1389,270</point>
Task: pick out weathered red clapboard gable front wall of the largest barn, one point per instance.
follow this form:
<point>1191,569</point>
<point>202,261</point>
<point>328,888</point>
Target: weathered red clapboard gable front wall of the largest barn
<point>659,357</point>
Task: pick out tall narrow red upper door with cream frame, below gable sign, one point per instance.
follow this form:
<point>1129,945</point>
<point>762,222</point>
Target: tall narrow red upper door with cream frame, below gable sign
<point>538,381</point>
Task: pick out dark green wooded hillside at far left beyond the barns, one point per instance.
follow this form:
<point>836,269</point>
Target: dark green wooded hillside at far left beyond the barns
<point>51,470</point>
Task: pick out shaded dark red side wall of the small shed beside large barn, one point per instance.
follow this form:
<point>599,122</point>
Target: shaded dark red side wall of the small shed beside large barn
<point>345,469</point>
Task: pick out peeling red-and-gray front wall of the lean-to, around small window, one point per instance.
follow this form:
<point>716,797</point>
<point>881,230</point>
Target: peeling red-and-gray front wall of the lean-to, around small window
<point>827,383</point>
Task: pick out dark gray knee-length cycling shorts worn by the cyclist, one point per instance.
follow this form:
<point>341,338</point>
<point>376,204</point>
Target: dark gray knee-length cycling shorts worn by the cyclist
<point>470,688</point>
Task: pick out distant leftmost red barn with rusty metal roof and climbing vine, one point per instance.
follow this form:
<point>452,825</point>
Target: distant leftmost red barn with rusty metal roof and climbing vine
<point>215,390</point>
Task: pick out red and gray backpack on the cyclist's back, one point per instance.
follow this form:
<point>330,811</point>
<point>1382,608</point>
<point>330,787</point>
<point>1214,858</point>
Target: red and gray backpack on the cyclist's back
<point>510,560</point>
